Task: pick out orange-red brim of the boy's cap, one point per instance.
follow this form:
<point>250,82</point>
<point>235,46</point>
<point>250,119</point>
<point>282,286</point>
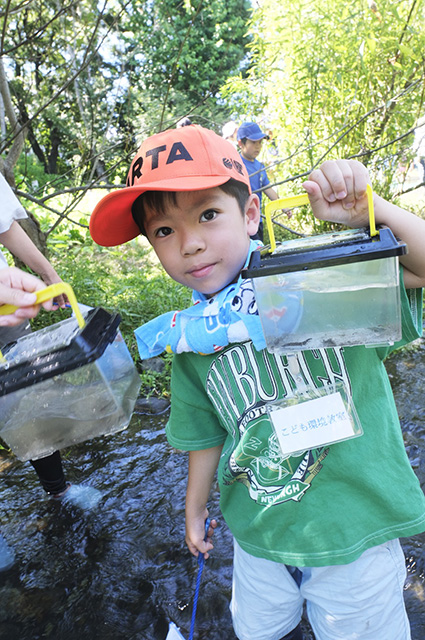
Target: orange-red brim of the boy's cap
<point>111,222</point>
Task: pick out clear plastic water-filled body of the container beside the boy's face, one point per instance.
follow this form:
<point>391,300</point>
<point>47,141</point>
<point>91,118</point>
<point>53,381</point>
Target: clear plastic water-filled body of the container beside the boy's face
<point>345,305</point>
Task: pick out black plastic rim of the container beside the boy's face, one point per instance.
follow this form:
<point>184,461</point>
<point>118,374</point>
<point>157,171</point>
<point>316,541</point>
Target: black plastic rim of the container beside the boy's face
<point>364,249</point>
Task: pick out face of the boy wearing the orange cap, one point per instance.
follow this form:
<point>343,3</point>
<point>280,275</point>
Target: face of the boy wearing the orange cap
<point>202,241</point>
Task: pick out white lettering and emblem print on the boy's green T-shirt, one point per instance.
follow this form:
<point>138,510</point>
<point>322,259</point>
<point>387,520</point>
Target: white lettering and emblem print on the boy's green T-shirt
<point>240,383</point>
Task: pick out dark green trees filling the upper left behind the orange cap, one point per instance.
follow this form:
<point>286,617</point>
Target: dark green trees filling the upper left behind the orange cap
<point>89,80</point>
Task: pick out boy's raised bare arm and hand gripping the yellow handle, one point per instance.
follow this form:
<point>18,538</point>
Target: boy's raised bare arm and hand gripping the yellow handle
<point>337,192</point>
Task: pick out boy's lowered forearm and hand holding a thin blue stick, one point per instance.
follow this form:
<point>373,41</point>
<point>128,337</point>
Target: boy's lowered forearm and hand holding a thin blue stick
<point>202,467</point>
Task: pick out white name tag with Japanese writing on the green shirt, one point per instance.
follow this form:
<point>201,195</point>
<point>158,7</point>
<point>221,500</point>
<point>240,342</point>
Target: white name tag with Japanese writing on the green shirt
<point>313,423</point>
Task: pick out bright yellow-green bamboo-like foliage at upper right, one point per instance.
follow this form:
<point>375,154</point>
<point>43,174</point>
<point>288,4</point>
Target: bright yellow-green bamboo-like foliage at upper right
<point>336,82</point>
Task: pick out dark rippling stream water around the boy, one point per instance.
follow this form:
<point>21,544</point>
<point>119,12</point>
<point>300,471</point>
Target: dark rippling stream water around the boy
<point>122,571</point>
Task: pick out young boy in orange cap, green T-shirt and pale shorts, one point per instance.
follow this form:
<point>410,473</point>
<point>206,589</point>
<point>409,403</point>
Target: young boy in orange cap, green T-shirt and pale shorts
<point>319,526</point>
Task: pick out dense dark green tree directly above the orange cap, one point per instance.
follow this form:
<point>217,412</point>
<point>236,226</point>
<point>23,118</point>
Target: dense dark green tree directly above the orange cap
<point>178,54</point>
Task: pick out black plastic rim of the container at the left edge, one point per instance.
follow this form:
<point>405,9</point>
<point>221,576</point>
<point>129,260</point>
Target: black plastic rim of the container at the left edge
<point>88,344</point>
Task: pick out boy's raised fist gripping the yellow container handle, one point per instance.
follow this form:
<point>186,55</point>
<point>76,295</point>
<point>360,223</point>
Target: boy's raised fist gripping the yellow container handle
<point>337,192</point>
